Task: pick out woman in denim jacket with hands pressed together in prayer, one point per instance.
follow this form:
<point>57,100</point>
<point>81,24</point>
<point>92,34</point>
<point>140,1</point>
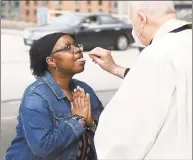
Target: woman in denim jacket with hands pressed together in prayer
<point>58,115</point>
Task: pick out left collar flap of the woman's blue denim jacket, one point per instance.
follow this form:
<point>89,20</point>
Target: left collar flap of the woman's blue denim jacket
<point>50,81</point>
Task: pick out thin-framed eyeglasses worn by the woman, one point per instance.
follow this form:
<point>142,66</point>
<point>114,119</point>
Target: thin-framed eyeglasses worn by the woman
<point>69,48</point>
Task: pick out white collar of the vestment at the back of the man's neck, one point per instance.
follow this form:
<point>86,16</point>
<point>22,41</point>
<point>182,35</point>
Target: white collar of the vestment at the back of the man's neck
<point>167,27</point>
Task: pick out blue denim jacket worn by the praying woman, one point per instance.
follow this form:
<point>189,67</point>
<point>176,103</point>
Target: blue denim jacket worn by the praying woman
<point>46,130</point>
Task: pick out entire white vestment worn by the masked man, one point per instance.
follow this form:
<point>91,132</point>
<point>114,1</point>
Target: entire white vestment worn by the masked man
<point>150,116</point>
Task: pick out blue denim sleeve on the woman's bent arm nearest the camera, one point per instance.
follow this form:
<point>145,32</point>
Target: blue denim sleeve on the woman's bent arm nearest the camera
<point>42,137</point>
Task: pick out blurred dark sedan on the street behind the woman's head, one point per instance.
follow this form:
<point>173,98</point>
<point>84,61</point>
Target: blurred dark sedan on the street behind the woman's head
<point>91,29</point>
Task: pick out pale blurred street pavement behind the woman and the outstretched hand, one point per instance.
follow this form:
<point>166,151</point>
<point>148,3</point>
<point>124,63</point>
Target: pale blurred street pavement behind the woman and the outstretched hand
<point>16,76</point>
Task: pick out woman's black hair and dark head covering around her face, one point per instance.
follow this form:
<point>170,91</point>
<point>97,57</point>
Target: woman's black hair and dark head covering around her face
<point>40,50</point>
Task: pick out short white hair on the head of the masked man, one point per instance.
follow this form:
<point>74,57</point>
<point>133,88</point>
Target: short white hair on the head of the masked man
<point>156,8</point>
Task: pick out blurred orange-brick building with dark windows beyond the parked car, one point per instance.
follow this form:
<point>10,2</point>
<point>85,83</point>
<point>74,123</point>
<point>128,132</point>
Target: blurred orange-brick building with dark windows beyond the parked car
<point>28,9</point>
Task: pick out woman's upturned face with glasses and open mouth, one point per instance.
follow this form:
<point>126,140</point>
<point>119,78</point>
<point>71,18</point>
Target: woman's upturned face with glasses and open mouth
<point>66,58</point>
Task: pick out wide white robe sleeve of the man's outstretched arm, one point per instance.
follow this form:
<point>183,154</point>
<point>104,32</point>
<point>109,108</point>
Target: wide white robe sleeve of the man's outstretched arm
<point>131,121</point>
